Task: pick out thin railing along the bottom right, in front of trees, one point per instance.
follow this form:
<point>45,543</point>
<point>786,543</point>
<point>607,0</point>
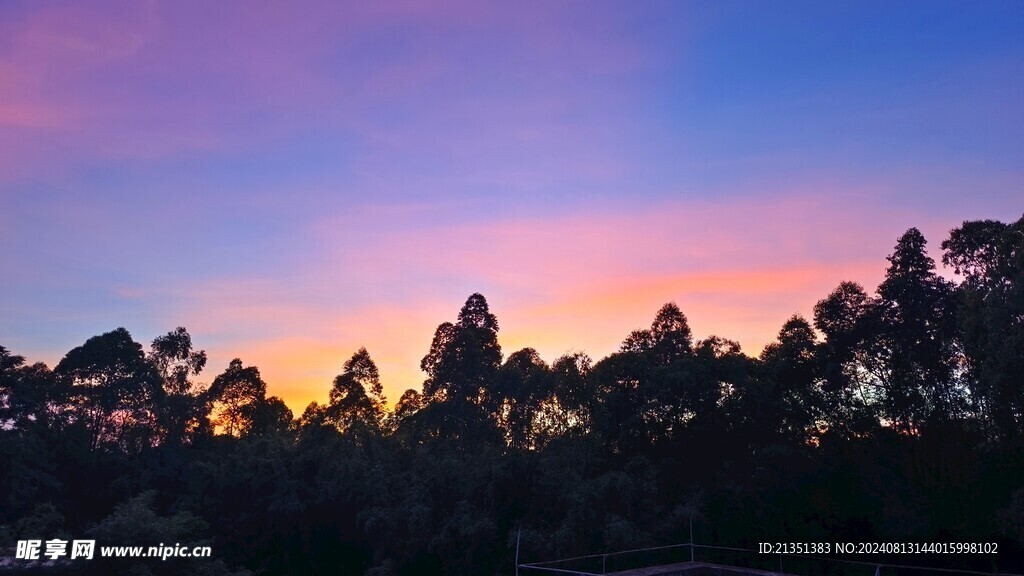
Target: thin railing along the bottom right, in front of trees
<point>803,565</point>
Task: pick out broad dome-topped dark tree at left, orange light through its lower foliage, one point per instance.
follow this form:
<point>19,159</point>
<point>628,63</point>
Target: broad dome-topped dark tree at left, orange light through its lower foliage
<point>114,391</point>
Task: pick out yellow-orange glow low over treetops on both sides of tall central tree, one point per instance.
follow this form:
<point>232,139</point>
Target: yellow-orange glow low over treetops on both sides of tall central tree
<point>749,307</point>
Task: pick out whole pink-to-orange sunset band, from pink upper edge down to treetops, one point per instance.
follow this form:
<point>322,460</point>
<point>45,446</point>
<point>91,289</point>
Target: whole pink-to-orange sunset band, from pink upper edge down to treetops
<point>558,283</point>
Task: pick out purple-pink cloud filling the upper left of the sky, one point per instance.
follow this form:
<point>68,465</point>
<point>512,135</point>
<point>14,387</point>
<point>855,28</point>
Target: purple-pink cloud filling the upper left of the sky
<point>147,80</point>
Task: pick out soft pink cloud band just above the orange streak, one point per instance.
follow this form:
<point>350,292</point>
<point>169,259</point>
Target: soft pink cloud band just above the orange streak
<point>546,254</point>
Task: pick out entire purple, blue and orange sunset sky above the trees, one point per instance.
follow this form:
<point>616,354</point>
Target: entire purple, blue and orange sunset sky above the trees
<point>291,182</point>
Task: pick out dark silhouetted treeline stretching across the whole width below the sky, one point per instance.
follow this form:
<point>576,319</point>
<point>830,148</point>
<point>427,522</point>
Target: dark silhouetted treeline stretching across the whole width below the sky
<point>893,417</point>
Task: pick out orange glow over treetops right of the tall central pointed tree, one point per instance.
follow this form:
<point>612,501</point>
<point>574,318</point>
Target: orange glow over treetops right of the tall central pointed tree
<point>749,307</point>
